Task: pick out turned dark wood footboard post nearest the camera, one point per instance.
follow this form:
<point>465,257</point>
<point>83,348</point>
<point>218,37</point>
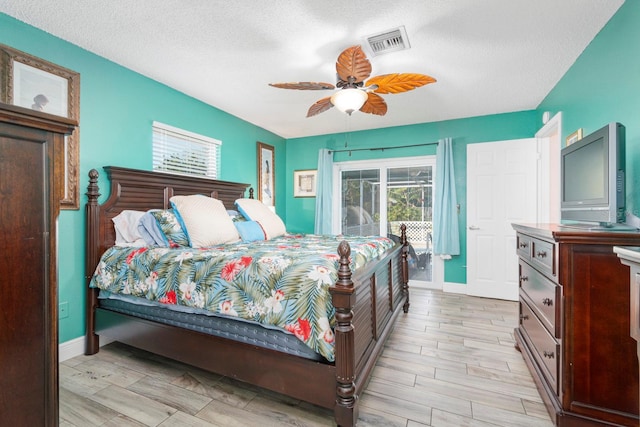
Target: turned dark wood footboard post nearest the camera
<point>344,298</point>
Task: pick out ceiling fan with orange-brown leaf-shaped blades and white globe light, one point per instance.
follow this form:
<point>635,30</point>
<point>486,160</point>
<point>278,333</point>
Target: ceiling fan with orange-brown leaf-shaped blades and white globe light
<point>353,68</point>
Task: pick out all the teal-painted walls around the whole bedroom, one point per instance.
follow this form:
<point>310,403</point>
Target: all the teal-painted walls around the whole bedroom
<point>118,106</point>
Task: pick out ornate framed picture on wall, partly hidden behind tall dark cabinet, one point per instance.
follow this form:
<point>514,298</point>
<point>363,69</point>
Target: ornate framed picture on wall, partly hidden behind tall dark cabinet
<point>42,86</point>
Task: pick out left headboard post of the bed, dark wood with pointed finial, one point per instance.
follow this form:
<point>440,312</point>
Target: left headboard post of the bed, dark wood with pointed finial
<point>92,341</point>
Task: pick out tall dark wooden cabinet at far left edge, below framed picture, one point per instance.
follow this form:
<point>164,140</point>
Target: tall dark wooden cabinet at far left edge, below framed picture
<point>31,187</point>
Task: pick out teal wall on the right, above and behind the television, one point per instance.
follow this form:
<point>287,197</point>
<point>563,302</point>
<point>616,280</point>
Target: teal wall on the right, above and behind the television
<point>603,86</point>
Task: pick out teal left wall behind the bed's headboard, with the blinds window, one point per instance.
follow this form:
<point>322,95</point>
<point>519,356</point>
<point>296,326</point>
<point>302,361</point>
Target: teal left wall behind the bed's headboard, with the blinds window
<point>117,107</point>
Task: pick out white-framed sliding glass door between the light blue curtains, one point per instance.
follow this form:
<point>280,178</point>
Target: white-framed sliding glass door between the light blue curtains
<point>376,197</point>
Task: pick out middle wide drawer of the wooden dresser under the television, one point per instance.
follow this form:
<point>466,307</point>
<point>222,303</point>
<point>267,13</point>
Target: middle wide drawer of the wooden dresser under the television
<point>543,295</point>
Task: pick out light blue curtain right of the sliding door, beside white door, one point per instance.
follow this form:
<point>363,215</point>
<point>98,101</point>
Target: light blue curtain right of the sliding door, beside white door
<point>446,238</point>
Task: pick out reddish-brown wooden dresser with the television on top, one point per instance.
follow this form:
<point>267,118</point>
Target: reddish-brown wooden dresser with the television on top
<point>574,323</point>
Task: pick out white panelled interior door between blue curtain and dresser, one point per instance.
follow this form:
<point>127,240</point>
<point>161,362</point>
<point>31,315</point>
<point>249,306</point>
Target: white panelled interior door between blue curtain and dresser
<point>501,190</point>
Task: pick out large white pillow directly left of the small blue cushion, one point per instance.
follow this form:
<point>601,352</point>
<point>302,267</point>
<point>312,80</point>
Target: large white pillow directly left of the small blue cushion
<point>205,219</point>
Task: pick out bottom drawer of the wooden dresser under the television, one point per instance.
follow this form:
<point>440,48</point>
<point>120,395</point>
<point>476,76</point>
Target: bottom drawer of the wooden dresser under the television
<point>545,347</point>
